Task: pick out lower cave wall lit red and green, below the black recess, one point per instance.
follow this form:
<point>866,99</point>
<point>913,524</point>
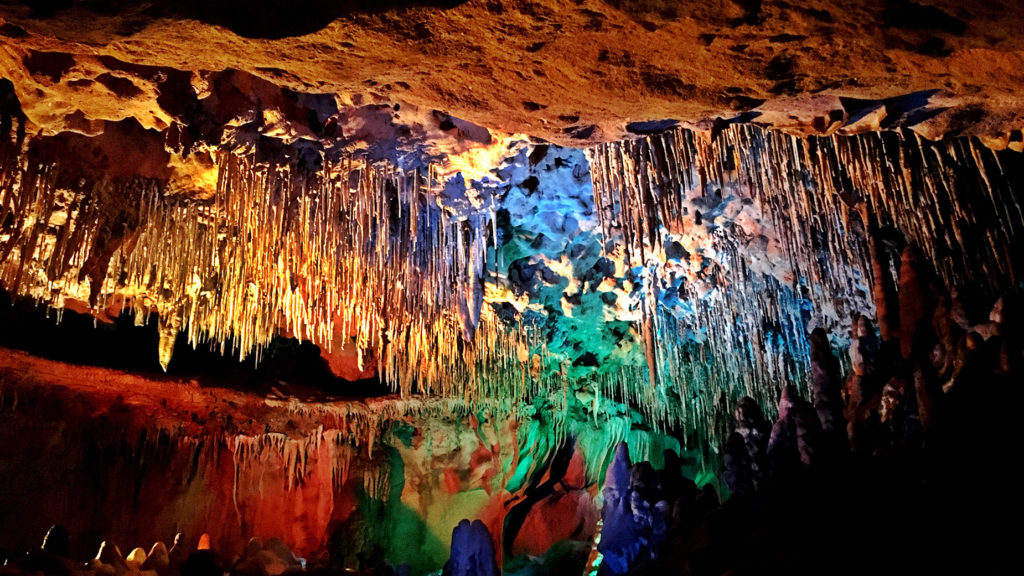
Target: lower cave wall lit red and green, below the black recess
<point>133,461</point>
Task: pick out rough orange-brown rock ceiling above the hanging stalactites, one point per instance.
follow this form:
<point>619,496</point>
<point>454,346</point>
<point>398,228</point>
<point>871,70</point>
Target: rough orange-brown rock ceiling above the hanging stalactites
<point>573,72</point>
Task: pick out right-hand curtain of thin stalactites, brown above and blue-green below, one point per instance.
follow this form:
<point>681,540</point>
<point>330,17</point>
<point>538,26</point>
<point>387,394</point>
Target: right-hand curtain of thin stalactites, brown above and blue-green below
<point>744,332</point>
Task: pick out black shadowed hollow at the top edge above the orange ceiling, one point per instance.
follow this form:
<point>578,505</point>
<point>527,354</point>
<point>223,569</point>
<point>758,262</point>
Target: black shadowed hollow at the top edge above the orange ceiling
<point>252,19</point>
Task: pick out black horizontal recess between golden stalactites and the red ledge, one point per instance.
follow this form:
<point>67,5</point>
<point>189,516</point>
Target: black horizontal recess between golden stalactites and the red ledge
<point>289,365</point>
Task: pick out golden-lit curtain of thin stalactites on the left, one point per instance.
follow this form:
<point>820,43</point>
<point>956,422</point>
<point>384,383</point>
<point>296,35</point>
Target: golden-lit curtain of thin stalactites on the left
<point>277,249</point>
